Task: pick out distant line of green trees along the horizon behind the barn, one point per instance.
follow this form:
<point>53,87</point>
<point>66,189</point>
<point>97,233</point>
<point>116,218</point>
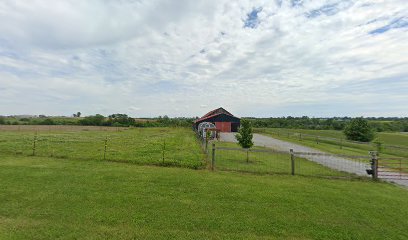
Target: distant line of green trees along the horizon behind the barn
<point>123,120</point>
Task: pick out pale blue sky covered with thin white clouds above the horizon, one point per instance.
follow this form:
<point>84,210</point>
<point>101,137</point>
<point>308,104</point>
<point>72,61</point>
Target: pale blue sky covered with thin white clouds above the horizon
<point>187,57</point>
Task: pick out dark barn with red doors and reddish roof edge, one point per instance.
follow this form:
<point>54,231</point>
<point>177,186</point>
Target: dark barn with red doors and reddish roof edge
<point>224,121</point>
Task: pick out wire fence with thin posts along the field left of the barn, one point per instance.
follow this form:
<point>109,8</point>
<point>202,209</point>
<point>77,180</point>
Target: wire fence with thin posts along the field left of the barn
<point>108,148</point>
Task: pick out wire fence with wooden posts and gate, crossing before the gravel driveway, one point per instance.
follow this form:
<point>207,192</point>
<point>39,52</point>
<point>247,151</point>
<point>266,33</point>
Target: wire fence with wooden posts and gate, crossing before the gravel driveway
<point>269,161</point>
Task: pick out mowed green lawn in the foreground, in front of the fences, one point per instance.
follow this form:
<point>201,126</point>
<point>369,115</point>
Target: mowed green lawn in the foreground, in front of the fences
<point>48,198</point>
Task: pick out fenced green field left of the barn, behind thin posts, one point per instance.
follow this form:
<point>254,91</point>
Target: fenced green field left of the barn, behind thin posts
<point>158,146</point>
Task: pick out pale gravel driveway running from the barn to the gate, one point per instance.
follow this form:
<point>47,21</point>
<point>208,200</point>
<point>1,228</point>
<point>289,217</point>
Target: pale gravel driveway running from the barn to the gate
<point>337,163</point>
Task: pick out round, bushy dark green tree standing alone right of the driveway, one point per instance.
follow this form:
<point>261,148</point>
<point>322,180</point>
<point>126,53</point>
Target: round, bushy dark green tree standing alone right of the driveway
<point>359,130</point>
